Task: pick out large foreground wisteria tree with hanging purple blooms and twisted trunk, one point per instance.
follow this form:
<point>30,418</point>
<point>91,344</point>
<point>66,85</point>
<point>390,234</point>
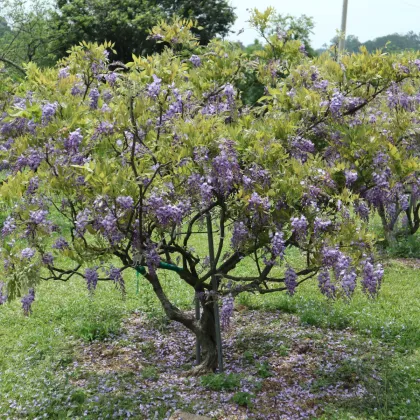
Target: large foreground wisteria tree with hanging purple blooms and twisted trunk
<point>133,162</point>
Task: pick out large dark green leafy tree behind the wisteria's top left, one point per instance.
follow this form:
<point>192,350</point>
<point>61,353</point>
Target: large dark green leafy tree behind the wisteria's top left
<point>126,22</point>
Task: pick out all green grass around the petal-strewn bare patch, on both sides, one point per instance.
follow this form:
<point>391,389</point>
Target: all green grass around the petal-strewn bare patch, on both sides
<point>35,351</point>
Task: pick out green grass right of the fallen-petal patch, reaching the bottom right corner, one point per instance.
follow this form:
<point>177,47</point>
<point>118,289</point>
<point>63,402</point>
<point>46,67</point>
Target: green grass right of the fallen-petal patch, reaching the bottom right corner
<point>393,318</point>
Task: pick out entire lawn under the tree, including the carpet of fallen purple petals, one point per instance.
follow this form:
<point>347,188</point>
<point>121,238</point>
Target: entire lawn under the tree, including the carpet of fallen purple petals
<point>286,357</point>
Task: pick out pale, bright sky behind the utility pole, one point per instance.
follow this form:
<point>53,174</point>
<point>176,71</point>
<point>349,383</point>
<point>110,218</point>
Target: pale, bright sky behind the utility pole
<point>366,19</point>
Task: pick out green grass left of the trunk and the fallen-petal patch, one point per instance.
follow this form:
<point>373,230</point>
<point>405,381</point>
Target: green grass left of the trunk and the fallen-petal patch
<point>35,350</point>
